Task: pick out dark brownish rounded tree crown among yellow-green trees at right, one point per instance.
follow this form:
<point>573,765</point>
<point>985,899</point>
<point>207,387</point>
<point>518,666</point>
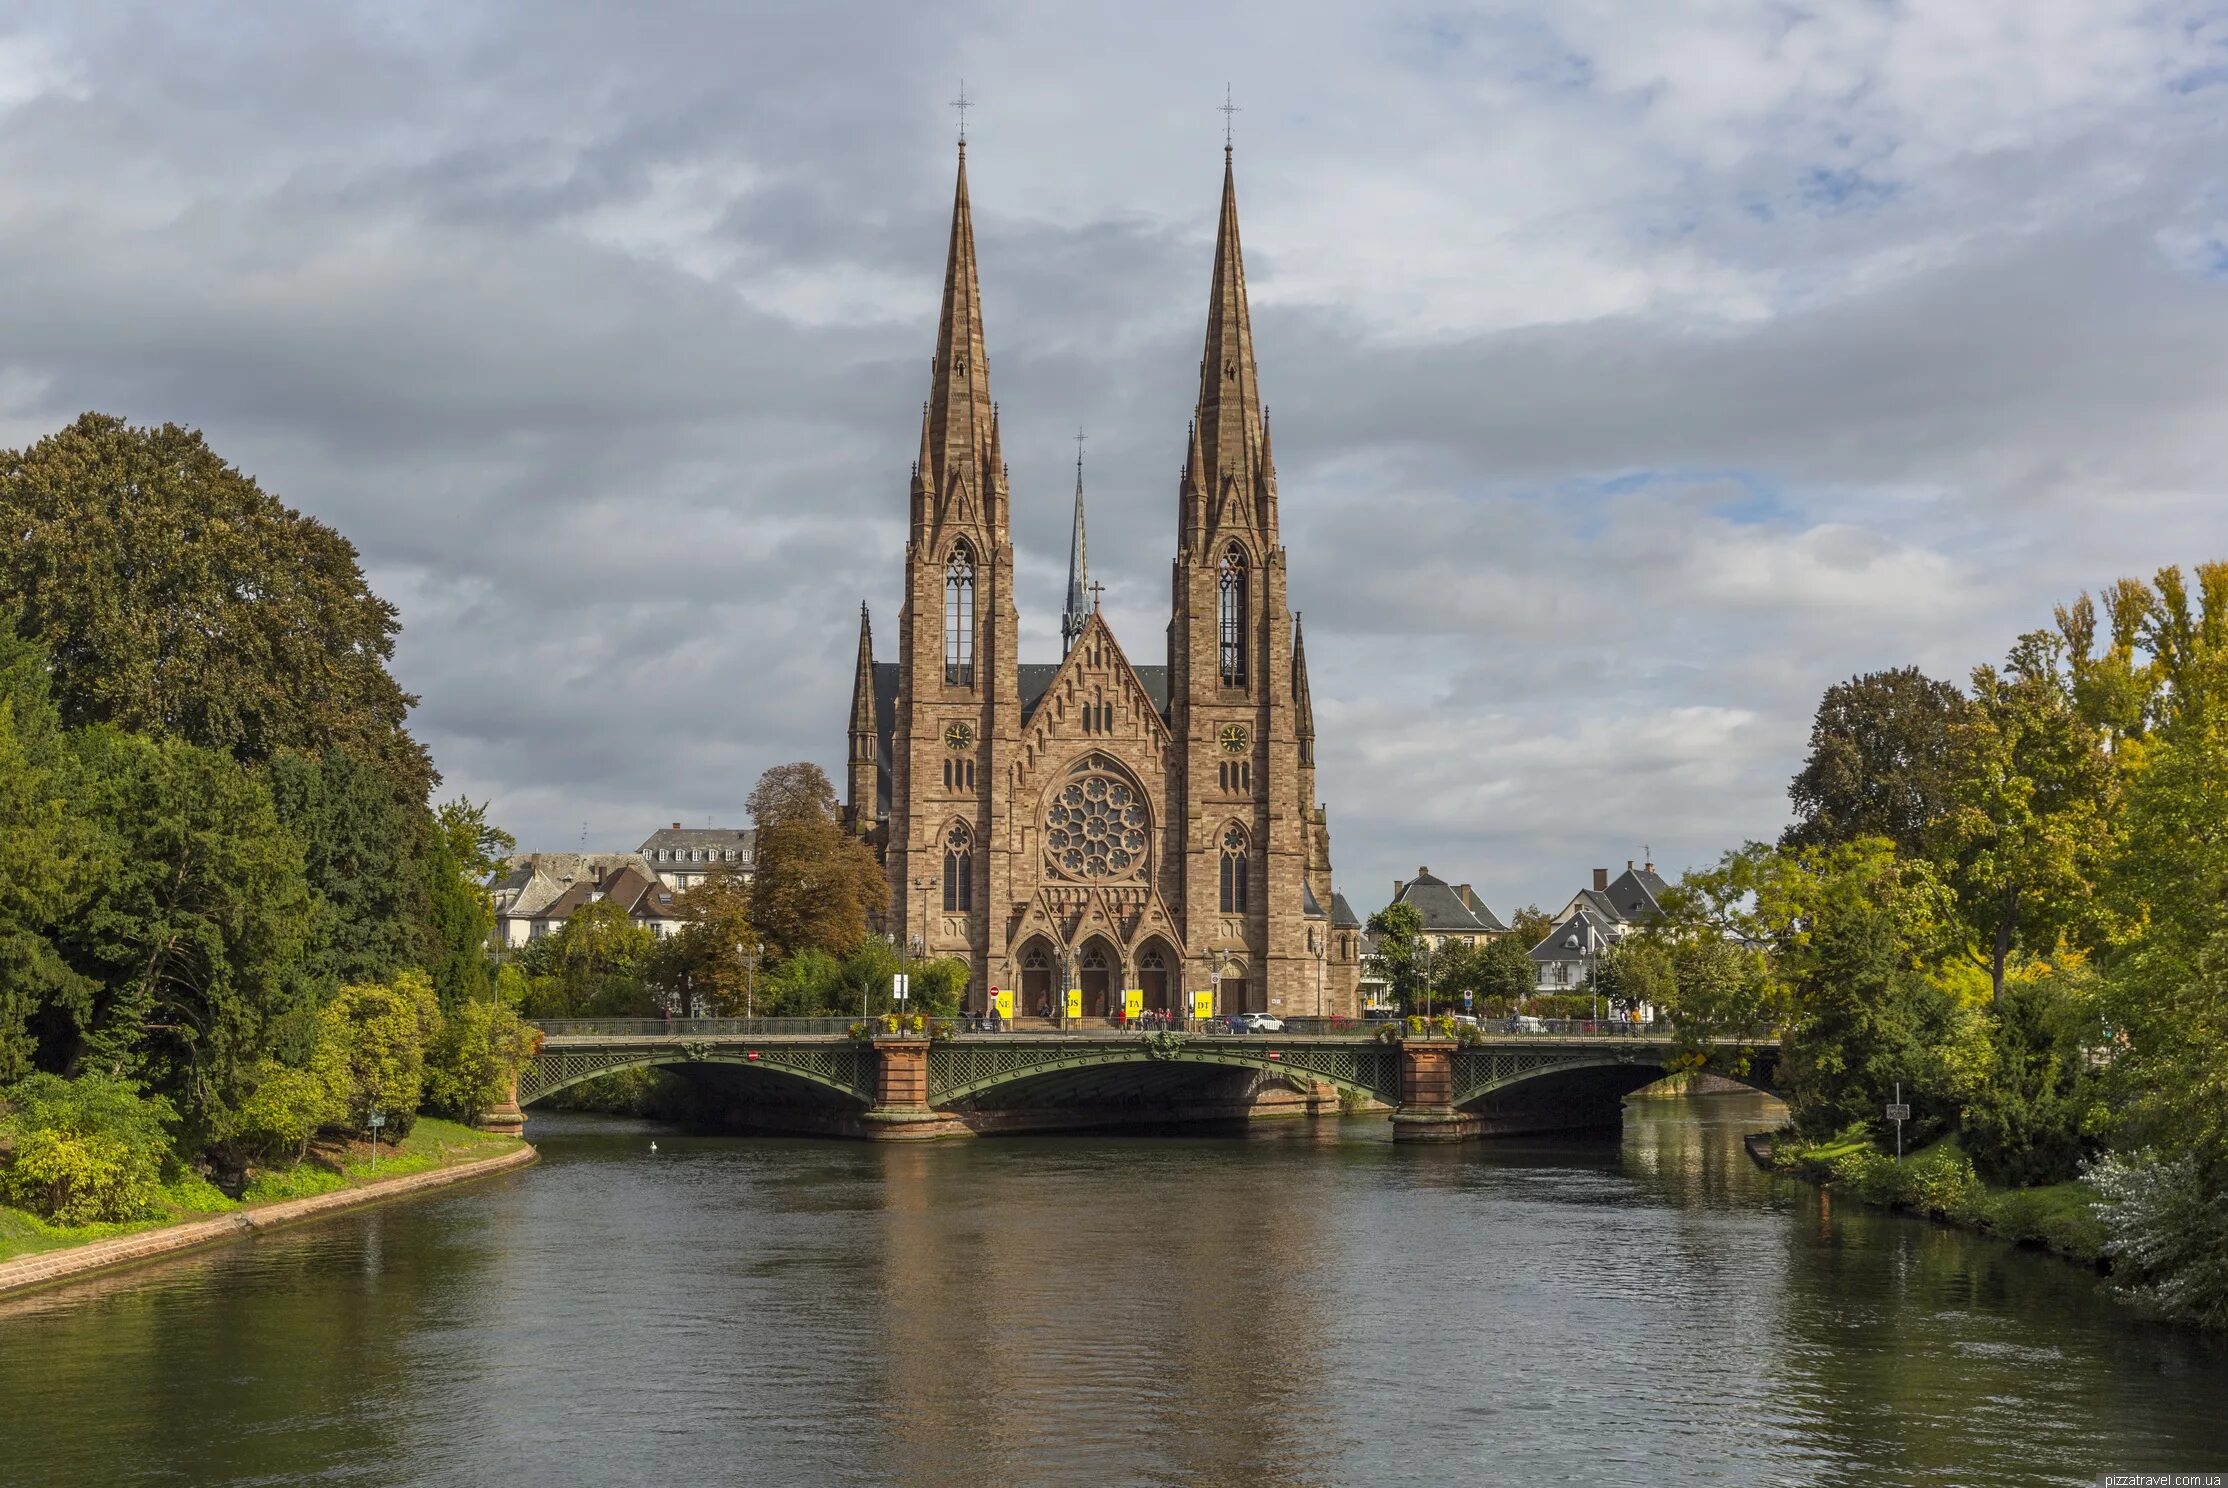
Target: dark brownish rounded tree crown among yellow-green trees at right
<point>1879,763</point>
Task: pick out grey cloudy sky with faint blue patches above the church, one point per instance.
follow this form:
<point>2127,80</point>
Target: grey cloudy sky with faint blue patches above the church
<point>1636,373</point>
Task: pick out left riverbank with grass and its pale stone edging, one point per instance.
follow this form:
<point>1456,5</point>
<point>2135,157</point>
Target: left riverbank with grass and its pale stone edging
<point>436,1155</point>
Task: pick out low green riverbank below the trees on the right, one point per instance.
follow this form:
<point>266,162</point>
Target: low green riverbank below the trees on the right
<point>1939,1184</point>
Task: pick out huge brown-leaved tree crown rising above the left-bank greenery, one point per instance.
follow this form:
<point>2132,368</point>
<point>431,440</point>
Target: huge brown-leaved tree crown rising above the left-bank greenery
<point>182,600</point>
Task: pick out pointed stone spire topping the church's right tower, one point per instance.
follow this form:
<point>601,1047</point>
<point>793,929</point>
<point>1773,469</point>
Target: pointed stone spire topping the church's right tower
<point>1233,462</point>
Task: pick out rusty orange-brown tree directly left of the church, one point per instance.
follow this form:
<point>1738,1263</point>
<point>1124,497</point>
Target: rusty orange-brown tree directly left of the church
<point>817,888</point>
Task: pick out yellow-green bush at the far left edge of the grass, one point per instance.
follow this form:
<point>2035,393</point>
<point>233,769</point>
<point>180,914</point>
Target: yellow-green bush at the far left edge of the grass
<point>88,1151</point>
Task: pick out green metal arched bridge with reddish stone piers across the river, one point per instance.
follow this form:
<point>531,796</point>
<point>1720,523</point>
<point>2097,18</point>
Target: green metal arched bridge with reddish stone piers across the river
<point>817,1075</point>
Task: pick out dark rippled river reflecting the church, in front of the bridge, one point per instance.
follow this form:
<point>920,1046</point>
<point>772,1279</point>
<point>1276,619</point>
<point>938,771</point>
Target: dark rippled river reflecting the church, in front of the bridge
<point>1304,1304</point>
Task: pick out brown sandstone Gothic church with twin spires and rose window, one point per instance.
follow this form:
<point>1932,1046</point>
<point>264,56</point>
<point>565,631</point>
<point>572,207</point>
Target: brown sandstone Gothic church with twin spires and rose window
<point>1095,823</point>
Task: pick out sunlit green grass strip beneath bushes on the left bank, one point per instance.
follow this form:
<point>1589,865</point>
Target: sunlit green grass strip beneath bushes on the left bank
<point>331,1168</point>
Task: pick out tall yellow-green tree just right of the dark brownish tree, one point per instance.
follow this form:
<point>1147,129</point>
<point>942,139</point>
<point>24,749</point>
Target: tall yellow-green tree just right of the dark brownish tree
<point>2026,834</point>
